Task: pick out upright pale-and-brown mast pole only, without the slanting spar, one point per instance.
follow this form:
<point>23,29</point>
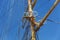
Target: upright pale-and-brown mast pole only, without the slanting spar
<point>31,19</point>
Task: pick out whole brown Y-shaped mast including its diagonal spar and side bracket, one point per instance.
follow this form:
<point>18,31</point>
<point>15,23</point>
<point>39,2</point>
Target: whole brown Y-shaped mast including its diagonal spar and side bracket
<point>31,19</point>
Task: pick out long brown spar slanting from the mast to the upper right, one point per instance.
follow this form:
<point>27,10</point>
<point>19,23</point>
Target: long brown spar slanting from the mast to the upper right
<point>46,16</point>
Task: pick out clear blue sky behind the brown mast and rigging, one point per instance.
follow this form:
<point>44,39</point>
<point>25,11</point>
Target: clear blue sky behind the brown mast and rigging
<point>11,12</point>
